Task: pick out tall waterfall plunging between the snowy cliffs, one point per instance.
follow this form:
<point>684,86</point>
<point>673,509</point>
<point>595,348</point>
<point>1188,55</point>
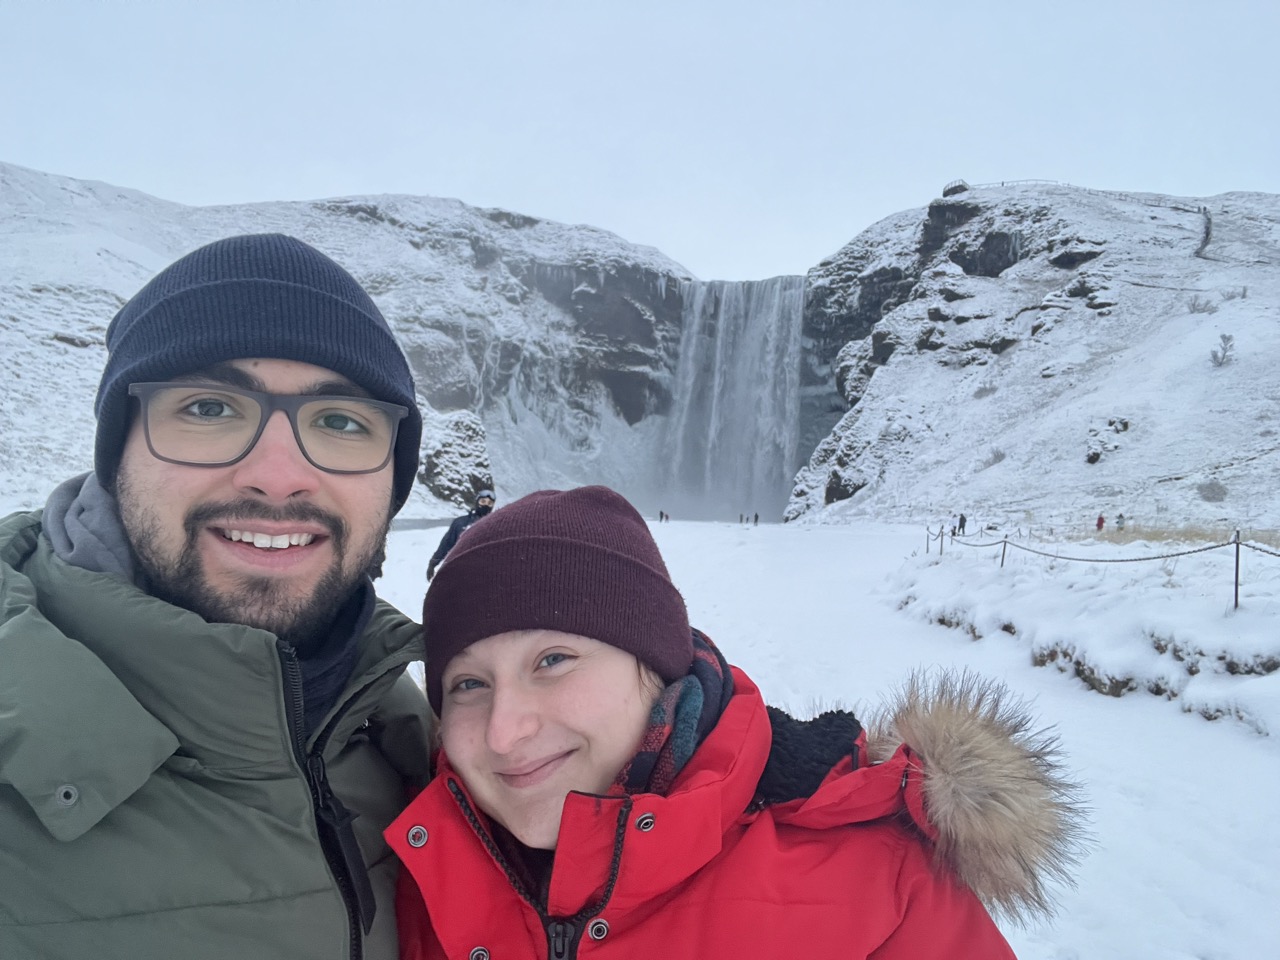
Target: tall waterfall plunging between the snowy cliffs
<point>733,435</point>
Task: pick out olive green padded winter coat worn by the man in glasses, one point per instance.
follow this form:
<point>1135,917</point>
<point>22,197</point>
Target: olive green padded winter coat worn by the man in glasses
<point>156,802</point>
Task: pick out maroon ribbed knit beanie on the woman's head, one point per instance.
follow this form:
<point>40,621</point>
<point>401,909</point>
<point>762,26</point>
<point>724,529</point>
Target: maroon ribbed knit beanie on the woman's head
<point>579,561</point>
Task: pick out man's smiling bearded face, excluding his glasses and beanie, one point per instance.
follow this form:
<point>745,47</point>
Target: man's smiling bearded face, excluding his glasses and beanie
<point>272,541</point>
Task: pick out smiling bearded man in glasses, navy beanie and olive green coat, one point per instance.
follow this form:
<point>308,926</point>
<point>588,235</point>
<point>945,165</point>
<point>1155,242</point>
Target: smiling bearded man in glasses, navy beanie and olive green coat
<point>205,723</point>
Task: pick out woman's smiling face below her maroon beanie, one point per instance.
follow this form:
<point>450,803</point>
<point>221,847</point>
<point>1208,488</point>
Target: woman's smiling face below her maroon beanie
<point>532,715</point>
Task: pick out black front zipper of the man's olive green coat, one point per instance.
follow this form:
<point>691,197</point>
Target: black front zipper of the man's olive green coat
<point>332,817</point>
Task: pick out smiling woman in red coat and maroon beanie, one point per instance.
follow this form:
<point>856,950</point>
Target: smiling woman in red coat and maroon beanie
<point>606,783</point>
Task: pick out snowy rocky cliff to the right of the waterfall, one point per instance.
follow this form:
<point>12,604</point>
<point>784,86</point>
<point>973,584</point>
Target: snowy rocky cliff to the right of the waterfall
<point>1043,353</point>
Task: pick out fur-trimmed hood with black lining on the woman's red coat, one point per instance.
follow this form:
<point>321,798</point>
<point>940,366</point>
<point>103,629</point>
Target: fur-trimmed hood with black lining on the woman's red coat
<point>975,771</point>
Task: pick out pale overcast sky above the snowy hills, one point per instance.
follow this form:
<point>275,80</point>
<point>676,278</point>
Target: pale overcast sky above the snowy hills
<point>742,139</point>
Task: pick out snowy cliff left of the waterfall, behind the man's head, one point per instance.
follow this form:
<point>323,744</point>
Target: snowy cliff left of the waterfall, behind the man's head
<point>542,353</point>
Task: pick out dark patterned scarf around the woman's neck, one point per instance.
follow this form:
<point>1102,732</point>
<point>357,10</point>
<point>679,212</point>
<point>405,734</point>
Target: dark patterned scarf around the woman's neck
<point>685,712</point>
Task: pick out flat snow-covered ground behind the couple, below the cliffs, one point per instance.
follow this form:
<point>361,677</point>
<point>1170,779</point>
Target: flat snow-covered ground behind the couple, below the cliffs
<point>1187,853</point>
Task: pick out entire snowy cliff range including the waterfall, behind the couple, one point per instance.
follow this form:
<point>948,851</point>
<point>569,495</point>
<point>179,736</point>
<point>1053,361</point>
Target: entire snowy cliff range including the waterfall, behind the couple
<point>1027,354</point>
